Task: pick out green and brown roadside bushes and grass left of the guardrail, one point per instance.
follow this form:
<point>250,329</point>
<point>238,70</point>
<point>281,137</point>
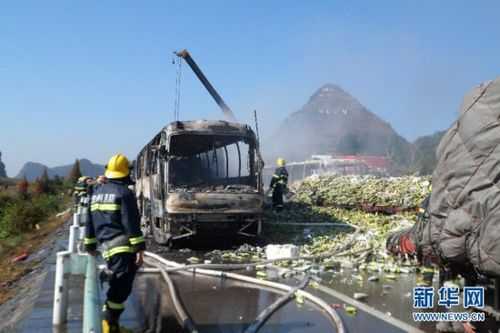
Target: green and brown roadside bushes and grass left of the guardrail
<point>28,218</point>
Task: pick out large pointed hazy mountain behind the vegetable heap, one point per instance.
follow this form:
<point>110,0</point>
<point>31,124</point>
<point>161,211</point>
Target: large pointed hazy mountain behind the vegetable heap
<point>334,122</point>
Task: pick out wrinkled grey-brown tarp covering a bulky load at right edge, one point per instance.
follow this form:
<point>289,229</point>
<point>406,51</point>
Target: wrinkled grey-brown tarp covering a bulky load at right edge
<point>464,225</point>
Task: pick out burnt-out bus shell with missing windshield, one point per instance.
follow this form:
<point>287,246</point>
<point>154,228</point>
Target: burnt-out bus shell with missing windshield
<point>200,178</point>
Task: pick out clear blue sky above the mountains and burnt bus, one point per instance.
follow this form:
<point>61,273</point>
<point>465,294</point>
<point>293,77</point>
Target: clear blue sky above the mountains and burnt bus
<point>90,78</point>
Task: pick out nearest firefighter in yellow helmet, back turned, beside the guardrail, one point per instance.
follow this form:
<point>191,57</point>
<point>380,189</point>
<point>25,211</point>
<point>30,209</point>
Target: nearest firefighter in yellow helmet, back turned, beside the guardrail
<point>114,224</point>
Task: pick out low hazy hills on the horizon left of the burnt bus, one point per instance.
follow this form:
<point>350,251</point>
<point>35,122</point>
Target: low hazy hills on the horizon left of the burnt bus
<point>32,170</point>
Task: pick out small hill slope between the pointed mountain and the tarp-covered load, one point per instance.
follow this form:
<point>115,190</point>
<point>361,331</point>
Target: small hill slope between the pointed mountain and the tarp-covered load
<point>425,160</point>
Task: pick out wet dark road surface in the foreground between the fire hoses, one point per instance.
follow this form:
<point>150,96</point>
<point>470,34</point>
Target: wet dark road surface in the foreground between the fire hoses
<point>228,306</point>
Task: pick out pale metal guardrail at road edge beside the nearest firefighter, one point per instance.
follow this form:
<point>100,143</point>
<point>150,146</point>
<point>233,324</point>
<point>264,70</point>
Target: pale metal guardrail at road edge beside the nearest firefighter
<point>75,262</point>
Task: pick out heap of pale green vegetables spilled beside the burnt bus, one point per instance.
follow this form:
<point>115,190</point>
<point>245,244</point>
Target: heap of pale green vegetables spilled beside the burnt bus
<point>338,199</point>
